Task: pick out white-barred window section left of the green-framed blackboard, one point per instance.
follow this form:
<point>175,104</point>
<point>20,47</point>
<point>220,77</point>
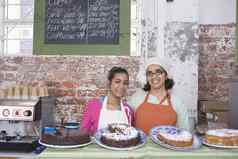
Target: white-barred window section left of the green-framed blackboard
<point>16,27</point>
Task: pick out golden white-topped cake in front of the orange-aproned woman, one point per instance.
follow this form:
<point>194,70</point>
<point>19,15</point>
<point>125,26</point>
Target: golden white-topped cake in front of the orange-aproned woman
<point>175,137</point>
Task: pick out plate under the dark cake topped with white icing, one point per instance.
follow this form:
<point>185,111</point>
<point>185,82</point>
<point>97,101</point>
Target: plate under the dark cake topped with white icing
<point>98,136</point>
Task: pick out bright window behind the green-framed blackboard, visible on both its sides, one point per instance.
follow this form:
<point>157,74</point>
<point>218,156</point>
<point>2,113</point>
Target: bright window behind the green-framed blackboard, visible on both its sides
<point>16,27</point>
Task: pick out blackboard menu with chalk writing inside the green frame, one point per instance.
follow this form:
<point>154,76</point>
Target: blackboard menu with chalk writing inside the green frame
<point>82,21</point>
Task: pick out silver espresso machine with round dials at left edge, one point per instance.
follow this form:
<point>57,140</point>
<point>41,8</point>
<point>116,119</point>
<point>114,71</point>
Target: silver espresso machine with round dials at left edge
<point>20,122</point>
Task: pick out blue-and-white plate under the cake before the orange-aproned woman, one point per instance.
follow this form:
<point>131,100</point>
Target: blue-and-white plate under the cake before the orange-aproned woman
<point>154,132</point>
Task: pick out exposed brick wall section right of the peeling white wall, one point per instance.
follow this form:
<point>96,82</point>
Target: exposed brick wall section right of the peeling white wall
<point>217,53</point>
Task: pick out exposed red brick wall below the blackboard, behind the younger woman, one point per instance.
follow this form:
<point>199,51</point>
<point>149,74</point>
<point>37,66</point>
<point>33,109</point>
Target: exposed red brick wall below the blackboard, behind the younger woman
<point>73,79</point>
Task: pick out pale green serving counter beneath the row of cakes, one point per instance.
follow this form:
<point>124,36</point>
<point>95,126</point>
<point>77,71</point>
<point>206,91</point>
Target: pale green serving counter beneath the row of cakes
<point>149,151</point>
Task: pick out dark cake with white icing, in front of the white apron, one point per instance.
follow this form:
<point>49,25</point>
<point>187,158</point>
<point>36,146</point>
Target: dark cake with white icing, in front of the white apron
<point>120,135</point>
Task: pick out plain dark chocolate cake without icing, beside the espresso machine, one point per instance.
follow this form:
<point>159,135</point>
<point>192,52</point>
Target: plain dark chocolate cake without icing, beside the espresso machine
<point>64,136</point>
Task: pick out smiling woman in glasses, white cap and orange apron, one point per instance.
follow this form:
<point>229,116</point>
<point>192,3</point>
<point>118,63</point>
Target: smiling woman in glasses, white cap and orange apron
<point>155,105</point>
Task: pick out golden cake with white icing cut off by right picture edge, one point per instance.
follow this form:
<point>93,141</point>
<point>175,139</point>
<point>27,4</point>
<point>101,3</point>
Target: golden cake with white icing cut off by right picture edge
<point>223,137</point>
